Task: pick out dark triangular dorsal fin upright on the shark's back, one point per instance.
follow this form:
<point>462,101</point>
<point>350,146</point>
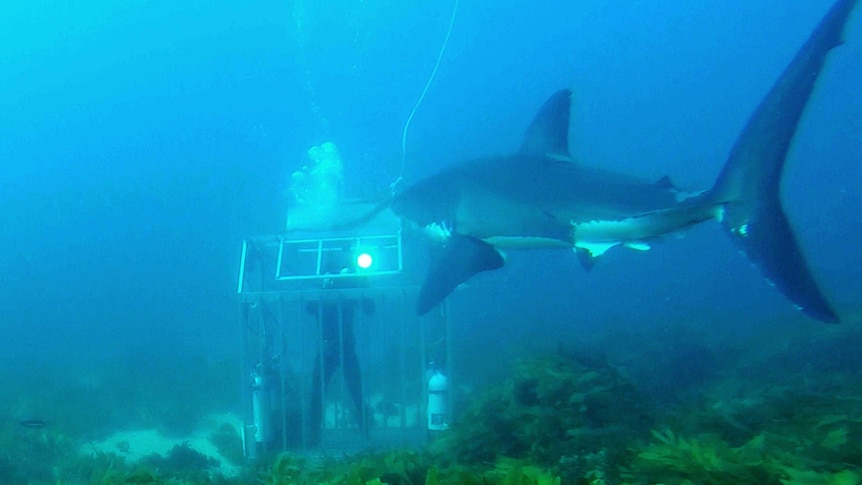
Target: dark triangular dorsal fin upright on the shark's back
<point>548,133</point>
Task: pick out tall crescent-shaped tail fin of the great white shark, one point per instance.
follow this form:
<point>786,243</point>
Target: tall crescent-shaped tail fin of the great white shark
<point>748,188</point>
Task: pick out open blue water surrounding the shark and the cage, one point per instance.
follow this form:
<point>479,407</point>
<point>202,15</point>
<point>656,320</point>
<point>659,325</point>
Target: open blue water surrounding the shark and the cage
<point>140,142</point>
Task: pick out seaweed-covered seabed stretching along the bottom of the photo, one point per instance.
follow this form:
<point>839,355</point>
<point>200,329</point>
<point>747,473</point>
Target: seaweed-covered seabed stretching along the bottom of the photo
<point>554,419</point>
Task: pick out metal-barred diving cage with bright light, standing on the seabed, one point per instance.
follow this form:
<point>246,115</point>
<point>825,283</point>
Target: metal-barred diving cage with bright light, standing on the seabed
<point>334,357</point>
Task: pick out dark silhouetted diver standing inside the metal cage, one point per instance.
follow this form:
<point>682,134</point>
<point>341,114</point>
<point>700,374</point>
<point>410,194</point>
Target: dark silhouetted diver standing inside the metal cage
<point>337,345</point>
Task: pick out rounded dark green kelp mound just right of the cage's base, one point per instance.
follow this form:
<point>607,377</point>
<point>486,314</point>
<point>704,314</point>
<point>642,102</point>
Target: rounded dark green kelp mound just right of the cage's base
<point>555,413</point>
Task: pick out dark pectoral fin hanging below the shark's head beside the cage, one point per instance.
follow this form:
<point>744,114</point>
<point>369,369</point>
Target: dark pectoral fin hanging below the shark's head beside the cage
<point>462,257</point>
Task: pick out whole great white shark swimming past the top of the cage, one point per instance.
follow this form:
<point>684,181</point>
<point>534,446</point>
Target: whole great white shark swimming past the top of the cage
<point>539,197</point>
